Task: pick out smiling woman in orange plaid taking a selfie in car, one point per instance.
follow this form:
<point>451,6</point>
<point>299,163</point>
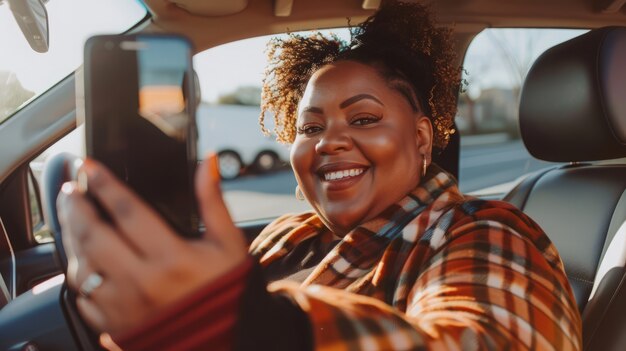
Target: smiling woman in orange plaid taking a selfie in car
<point>393,257</point>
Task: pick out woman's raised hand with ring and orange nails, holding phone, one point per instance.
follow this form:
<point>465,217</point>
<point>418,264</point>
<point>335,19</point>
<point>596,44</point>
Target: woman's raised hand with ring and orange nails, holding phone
<point>144,264</point>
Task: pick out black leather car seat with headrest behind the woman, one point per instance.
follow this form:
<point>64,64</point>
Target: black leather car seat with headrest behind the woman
<point>573,110</point>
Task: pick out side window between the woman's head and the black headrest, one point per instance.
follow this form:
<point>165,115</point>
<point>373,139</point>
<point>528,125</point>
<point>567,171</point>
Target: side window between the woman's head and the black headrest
<point>493,156</point>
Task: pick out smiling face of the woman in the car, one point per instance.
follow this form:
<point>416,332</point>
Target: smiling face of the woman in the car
<point>359,146</point>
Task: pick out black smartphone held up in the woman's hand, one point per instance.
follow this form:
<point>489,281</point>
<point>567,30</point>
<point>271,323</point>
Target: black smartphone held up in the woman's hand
<point>140,105</point>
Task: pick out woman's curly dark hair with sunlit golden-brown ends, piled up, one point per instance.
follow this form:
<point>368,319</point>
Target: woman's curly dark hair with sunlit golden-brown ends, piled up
<point>400,40</point>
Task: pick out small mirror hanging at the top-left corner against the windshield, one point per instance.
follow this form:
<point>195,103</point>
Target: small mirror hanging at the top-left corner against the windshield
<point>32,18</point>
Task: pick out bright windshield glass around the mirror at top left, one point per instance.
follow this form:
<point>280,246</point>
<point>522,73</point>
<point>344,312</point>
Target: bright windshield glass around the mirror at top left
<point>25,74</point>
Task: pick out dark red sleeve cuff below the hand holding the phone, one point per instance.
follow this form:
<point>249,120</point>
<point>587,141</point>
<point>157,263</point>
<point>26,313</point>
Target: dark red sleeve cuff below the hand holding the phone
<point>207,318</point>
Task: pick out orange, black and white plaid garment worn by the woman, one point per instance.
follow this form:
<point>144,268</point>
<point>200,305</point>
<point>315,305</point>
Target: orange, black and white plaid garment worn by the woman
<point>437,271</point>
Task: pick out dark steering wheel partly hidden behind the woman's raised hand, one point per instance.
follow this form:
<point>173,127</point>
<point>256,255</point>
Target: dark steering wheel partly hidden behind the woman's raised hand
<point>59,169</point>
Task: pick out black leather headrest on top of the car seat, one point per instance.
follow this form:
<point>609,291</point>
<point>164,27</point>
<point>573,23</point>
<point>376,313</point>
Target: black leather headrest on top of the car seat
<point>573,104</point>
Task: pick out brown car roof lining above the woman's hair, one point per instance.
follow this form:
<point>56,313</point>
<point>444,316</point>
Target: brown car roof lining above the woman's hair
<point>466,16</point>
